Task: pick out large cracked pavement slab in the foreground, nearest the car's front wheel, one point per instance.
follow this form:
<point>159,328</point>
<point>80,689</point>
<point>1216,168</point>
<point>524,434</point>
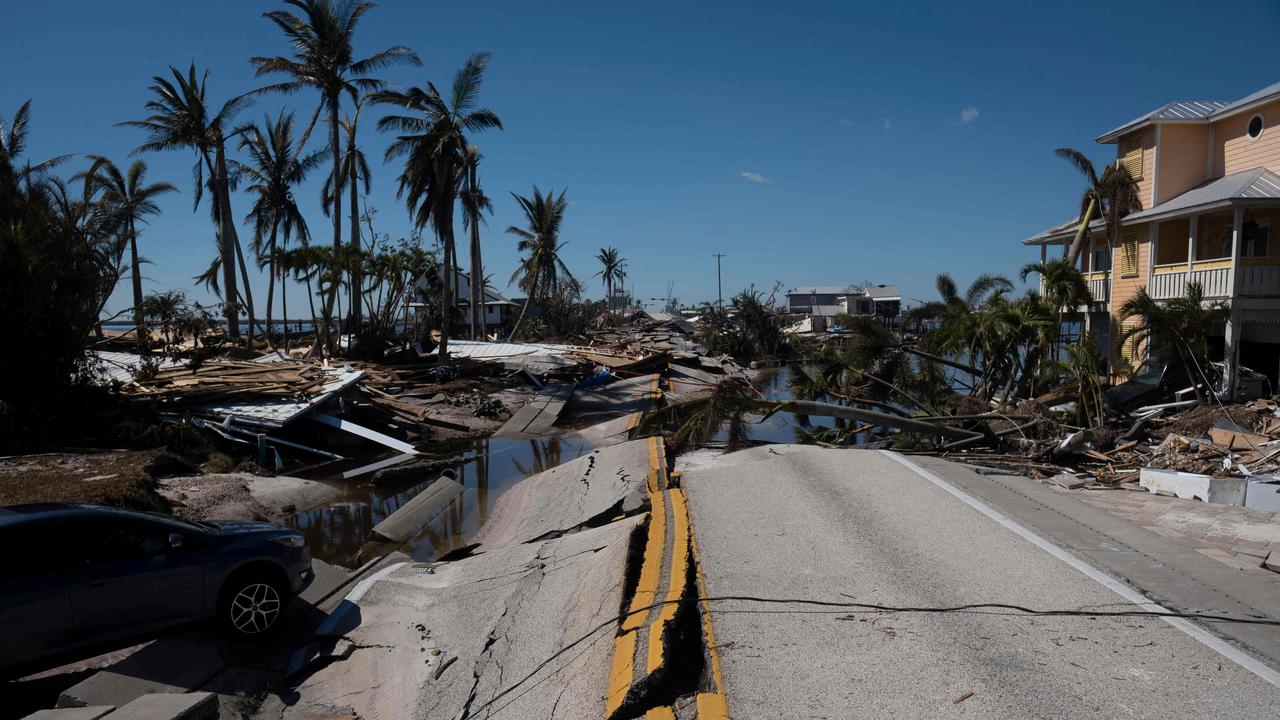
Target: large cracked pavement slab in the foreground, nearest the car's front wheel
<point>446,640</point>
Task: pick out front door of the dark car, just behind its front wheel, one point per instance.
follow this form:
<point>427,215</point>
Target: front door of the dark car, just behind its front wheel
<point>136,578</point>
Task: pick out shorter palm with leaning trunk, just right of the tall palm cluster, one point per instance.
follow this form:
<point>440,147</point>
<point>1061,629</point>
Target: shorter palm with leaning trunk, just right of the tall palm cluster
<point>542,272</point>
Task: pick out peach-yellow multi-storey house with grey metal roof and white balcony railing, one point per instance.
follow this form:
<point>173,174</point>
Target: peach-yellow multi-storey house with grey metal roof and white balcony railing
<point>1209,175</point>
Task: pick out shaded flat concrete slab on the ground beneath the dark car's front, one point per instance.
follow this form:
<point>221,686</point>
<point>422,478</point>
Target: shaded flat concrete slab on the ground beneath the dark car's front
<point>175,664</point>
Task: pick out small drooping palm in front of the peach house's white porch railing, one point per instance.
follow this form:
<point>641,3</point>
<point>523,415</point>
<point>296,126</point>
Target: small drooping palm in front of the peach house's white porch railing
<point>1176,329</point>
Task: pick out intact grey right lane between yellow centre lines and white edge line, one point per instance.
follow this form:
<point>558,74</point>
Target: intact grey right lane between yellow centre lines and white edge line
<point>802,522</point>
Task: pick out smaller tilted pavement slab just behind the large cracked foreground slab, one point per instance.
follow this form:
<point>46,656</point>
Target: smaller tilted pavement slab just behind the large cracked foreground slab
<point>582,491</point>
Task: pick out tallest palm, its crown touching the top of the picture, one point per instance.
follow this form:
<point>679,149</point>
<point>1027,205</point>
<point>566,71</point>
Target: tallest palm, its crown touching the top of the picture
<point>324,60</point>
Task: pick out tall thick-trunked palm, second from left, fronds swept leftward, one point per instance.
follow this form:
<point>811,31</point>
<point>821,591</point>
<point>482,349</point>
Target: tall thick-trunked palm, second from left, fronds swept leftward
<point>181,119</point>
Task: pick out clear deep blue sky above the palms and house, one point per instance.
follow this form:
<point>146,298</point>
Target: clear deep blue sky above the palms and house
<point>812,143</point>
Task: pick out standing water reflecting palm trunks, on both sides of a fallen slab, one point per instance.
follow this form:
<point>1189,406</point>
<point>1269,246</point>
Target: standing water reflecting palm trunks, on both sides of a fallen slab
<point>486,468</point>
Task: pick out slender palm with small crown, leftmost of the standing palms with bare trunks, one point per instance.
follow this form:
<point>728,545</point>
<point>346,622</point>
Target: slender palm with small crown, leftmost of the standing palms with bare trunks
<point>130,200</point>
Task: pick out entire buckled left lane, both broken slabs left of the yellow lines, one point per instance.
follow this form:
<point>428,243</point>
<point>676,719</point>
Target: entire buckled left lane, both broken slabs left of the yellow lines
<point>556,566</point>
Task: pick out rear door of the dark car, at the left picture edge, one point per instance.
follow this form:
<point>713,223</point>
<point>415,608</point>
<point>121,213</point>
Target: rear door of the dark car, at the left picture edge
<point>35,601</point>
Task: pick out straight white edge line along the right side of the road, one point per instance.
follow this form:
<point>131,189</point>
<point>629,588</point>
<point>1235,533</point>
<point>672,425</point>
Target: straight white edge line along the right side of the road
<point>1116,586</point>
